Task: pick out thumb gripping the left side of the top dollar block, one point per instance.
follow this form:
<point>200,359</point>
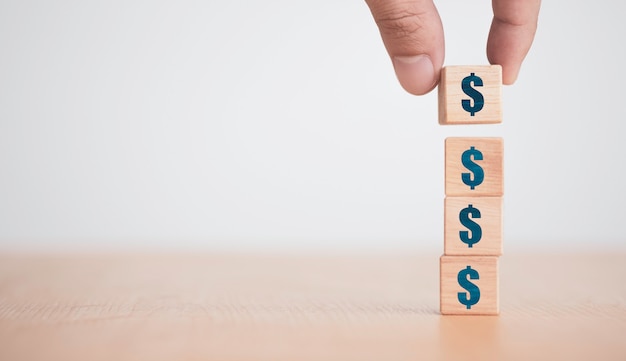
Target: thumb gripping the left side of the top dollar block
<point>413,36</point>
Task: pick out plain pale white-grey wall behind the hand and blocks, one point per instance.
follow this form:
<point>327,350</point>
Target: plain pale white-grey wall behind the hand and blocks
<point>280,125</point>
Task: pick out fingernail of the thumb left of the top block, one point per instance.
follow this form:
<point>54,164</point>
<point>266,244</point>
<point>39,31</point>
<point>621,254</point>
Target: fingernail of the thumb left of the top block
<point>415,73</point>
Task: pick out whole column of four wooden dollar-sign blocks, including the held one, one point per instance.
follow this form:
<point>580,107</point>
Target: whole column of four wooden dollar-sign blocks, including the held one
<point>474,190</point>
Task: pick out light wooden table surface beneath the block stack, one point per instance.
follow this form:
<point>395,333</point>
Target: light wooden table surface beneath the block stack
<point>304,307</point>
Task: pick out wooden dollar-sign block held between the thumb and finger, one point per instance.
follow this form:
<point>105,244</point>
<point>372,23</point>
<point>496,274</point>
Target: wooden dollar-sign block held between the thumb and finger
<point>479,87</point>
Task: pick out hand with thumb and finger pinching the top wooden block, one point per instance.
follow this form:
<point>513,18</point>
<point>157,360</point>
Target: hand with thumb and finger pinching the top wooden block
<point>413,36</point>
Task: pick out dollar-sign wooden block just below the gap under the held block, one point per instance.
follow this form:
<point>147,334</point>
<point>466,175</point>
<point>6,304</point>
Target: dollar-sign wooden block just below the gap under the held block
<point>482,173</point>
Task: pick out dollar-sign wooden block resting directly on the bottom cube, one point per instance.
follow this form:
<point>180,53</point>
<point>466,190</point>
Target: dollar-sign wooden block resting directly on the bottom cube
<point>473,226</point>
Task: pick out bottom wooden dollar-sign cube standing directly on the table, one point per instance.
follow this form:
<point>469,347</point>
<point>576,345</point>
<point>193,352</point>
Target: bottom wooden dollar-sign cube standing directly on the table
<point>468,285</point>
